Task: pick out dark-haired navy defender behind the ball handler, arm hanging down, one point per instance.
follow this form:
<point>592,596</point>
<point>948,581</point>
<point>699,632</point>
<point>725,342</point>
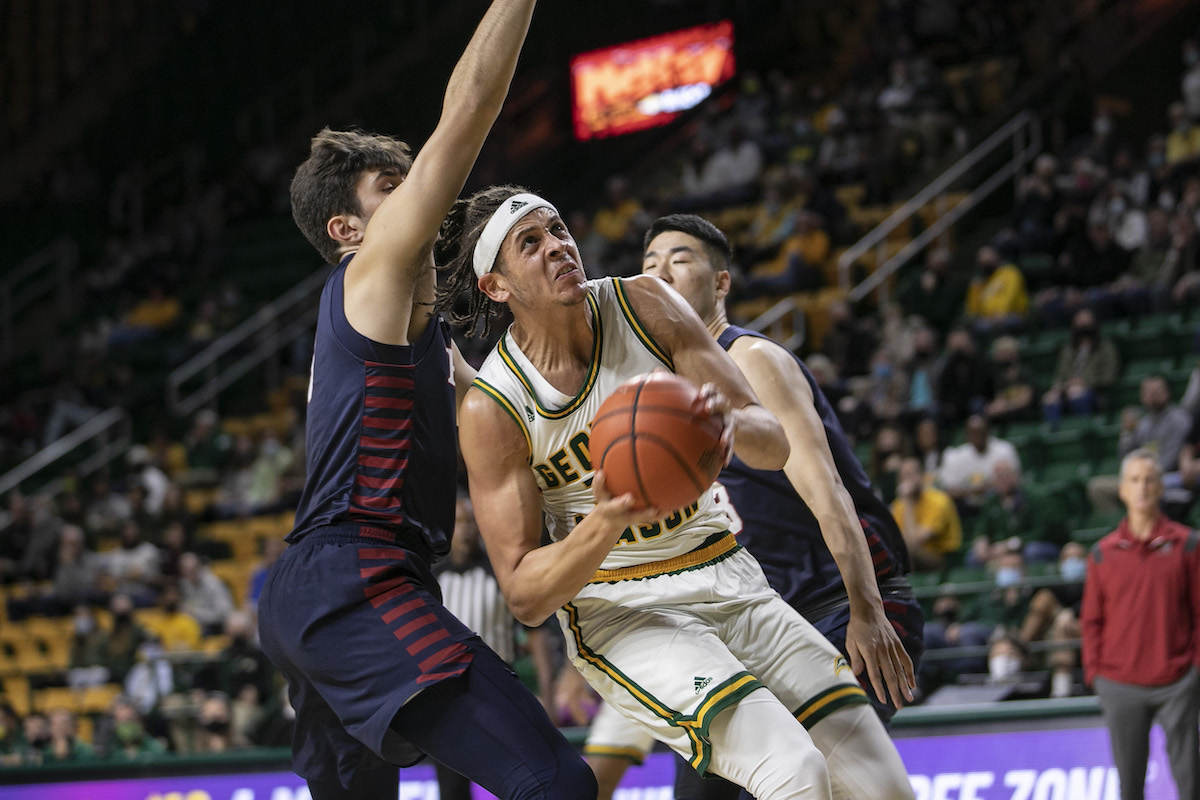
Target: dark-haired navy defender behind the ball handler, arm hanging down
<point>826,543</point>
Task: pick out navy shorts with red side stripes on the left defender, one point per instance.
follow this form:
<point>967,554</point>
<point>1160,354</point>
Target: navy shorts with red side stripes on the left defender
<point>358,629</point>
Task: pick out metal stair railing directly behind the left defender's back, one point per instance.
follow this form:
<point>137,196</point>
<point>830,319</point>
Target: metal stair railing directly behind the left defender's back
<point>255,342</point>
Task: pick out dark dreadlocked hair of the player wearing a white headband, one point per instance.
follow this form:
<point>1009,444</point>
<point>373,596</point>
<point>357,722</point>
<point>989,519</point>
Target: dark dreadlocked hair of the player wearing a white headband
<point>459,294</point>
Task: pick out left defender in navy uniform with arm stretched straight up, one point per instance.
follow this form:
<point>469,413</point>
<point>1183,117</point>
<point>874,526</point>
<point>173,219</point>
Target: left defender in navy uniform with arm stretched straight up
<point>380,672</point>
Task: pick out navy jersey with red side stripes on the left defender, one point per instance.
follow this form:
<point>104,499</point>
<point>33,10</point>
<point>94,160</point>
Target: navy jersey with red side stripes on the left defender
<point>381,430</point>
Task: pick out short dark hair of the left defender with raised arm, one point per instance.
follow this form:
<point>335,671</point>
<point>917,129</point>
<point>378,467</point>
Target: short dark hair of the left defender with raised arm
<point>325,185</point>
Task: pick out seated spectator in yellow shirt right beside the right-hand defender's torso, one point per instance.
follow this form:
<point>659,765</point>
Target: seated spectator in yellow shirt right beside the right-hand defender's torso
<point>927,518</point>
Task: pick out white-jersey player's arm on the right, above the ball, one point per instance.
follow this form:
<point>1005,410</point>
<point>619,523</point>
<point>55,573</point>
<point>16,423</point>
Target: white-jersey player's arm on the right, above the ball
<point>759,438</point>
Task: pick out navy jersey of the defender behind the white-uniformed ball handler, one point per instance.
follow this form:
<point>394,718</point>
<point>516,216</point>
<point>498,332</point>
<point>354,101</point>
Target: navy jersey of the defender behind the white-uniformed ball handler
<point>781,530</point>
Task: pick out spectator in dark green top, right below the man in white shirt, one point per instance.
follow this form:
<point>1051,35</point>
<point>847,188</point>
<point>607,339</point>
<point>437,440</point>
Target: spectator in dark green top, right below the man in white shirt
<point>1011,512</point>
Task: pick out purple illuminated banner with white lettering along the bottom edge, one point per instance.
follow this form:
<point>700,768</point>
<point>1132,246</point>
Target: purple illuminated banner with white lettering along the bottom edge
<point>1071,765</point>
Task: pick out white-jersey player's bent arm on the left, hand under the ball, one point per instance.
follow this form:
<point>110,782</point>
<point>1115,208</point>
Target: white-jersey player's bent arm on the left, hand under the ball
<point>536,581</point>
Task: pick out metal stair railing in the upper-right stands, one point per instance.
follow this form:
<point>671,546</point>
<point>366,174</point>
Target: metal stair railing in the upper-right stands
<point>1023,134</point>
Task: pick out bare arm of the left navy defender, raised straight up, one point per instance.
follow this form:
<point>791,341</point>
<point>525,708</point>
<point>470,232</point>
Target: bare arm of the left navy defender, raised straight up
<point>398,242</point>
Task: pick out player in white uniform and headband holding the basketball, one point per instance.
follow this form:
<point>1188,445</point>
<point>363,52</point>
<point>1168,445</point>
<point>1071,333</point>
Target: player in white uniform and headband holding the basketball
<point>665,615</point>
